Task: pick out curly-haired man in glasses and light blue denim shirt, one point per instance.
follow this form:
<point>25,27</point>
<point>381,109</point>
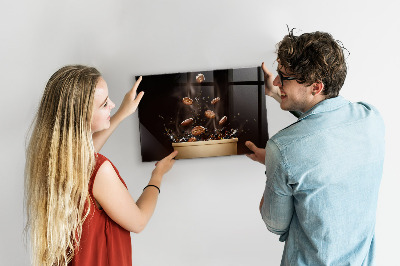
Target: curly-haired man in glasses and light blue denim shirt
<point>323,171</point>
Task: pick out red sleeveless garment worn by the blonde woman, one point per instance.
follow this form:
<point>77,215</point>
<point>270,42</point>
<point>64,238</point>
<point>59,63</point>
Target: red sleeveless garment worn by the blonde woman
<point>103,241</point>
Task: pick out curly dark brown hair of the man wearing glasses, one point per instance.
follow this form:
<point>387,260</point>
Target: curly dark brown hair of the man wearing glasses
<point>314,57</point>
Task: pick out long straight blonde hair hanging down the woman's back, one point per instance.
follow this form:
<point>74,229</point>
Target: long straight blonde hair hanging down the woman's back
<point>59,162</point>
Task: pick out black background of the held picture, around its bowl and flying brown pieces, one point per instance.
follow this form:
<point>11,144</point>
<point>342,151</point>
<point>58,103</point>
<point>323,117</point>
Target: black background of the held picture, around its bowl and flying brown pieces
<point>161,110</point>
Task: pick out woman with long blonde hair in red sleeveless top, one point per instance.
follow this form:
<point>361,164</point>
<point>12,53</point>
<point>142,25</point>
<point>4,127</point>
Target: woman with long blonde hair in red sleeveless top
<point>78,207</point>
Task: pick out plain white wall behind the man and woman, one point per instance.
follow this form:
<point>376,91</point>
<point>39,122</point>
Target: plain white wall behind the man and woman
<point>208,208</point>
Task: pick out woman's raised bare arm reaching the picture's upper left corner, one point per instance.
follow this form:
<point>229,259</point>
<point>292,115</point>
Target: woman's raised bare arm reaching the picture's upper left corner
<point>128,107</point>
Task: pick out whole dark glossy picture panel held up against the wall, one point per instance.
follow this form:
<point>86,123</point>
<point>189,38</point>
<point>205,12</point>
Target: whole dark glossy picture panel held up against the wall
<point>202,114</point>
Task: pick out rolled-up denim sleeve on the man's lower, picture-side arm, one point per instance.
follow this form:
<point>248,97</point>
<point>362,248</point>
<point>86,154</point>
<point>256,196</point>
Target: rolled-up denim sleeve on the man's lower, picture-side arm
<point>277,208</point>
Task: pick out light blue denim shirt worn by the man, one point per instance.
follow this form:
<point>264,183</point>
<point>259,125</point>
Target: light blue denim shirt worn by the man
<point>323,175</point>
